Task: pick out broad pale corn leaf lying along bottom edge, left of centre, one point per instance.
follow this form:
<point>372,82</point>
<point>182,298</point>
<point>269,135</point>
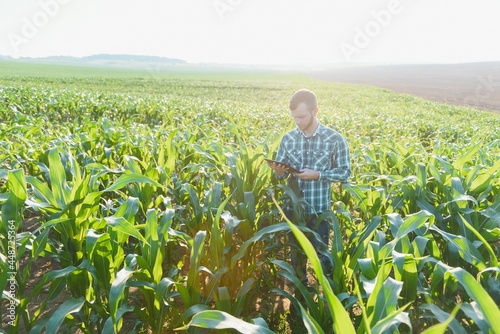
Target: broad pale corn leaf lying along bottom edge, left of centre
<point>221,320</point>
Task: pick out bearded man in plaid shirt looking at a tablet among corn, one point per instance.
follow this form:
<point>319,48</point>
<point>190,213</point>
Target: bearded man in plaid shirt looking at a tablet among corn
<point>322,156</point>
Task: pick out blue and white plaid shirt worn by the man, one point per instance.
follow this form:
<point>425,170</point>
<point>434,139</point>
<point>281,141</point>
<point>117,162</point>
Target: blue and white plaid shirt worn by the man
<point>326,151</point>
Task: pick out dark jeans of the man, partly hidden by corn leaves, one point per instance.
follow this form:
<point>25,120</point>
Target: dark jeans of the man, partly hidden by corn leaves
<point>298,257</point>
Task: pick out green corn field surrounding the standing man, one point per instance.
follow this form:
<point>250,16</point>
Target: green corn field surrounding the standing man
<point>136,205</point>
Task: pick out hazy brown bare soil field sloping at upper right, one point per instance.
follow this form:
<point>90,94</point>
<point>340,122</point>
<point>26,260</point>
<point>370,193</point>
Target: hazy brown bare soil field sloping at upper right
<point>472,84</point>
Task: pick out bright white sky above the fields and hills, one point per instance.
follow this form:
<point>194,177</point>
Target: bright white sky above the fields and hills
<point>279,32</point>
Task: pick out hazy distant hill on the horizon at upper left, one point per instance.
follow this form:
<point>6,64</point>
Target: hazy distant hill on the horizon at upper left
<point>120,60</point>
